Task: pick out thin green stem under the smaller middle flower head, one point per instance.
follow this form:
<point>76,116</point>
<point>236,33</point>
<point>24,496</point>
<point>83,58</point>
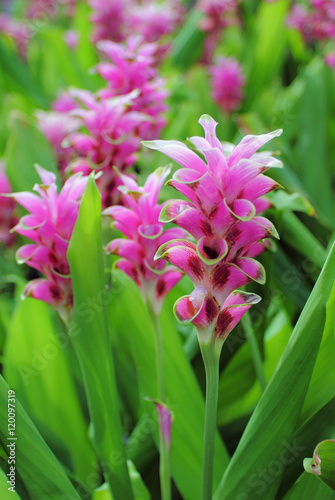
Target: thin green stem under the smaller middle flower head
<point>164,441</point>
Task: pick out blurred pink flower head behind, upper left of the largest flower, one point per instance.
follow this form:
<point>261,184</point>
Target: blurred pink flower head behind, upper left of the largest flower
<point>132,67</point>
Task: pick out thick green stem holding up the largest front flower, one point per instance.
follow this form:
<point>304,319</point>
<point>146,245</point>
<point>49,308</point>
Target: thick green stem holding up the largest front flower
<point>211,361</point>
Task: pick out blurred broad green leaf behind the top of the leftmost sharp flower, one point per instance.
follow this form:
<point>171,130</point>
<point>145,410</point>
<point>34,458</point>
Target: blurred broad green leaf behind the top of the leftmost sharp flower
<point>26,147</point>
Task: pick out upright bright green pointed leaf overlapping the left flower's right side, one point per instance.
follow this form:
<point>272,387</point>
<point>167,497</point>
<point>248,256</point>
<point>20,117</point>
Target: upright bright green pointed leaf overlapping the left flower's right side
<point>89,334</point>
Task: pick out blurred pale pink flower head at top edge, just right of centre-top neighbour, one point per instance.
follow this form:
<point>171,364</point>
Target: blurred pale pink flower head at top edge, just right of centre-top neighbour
<point>153,20</point>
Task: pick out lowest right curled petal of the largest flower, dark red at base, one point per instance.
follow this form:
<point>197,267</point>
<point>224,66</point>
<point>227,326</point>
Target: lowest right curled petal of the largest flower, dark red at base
<point>235,306</point>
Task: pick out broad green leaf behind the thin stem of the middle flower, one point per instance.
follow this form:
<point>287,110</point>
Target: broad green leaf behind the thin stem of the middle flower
<point>132,325</point>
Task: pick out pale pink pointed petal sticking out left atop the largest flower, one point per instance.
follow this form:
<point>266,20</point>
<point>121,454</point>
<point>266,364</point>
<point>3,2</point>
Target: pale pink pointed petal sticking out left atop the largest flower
<point>180,153</point>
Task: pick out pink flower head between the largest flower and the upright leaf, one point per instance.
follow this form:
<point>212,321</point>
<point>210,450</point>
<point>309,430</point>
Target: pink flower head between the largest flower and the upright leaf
<point>144,234</point>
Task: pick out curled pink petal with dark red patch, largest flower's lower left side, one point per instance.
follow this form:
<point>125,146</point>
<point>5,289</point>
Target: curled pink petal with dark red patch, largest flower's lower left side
<point>183,254</point>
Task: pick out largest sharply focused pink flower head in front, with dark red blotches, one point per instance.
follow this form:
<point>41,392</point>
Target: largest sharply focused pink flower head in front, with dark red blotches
<point>224,197</point>
